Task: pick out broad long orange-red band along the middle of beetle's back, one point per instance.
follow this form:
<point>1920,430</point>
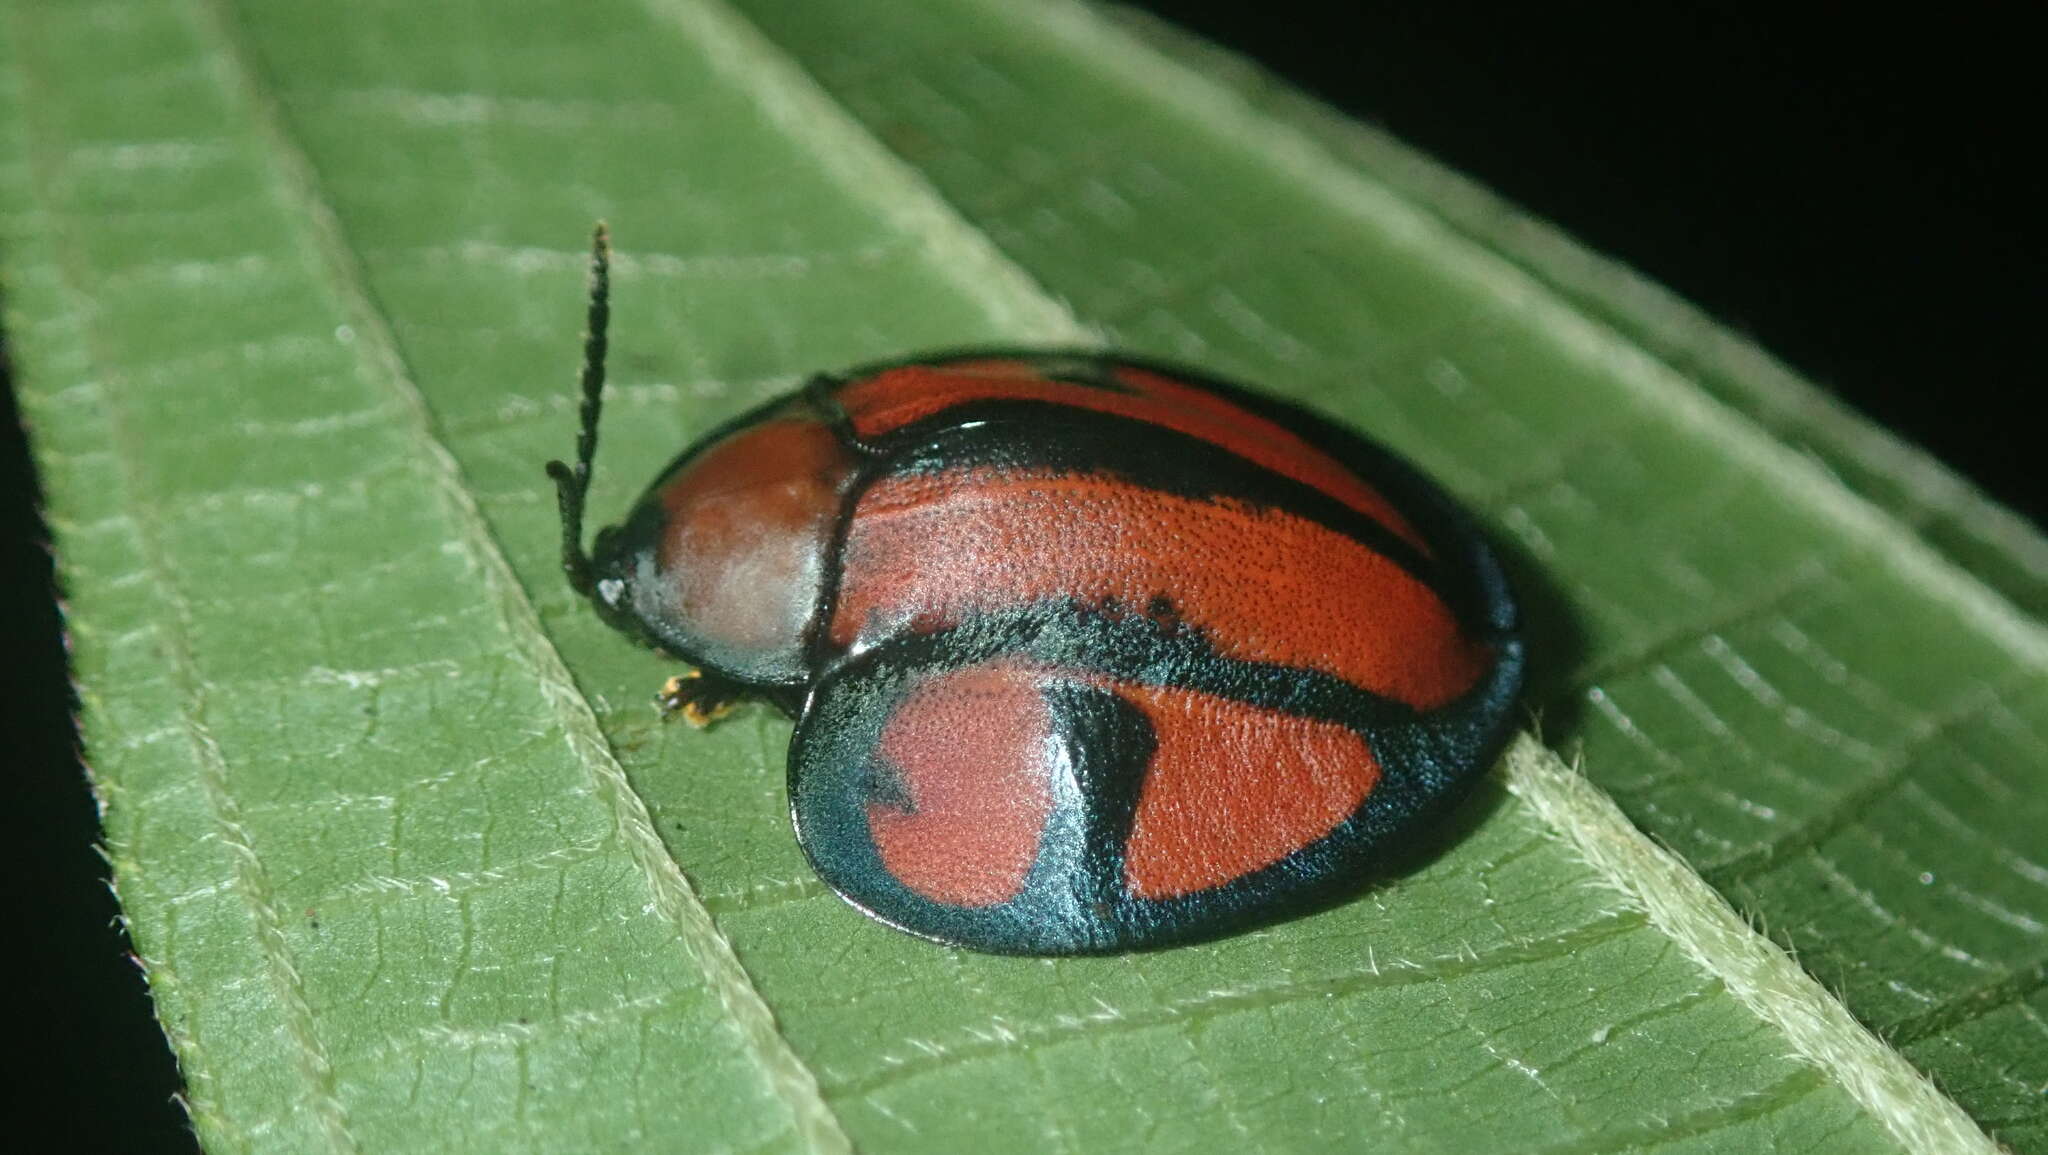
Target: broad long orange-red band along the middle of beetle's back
<point>1265,585</point>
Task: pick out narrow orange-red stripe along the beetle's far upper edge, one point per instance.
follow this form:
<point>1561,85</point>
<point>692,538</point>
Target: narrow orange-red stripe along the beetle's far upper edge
<point>896,398</point>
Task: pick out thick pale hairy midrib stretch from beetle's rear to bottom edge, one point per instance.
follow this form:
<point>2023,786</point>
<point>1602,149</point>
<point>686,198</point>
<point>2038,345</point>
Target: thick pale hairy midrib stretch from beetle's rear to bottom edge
<point>1756,970</point>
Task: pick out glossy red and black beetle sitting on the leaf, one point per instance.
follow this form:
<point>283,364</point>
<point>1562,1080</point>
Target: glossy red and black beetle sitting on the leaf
<point>1084,652</point>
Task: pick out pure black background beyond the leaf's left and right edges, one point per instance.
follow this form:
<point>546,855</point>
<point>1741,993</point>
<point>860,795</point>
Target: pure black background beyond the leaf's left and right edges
<point>1844,189</point>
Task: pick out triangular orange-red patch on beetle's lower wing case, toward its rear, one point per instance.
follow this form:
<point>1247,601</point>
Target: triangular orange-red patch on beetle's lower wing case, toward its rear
<point>1234,789</point>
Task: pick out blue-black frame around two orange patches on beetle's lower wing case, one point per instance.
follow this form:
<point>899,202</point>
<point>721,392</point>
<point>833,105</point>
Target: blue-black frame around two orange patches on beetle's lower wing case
<point>1072,906</point>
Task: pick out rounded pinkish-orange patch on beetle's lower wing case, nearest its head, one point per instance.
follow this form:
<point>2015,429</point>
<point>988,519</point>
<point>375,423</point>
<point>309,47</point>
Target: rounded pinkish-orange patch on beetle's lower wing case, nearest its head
<point>972,751</point>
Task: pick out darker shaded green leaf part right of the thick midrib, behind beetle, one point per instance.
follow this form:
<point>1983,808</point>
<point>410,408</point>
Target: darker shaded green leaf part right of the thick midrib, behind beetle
<point>1840,728</point>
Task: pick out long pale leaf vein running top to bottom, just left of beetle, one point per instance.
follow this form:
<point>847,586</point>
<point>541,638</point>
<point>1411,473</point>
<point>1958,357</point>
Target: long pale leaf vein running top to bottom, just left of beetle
<point>671,890</point>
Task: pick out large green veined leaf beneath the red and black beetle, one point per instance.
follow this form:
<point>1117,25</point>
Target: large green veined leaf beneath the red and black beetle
<point>294,300</point>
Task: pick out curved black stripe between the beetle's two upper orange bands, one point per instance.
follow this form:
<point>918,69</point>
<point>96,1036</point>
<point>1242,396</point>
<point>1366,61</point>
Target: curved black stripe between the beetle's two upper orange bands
<point>1007,435</point>
